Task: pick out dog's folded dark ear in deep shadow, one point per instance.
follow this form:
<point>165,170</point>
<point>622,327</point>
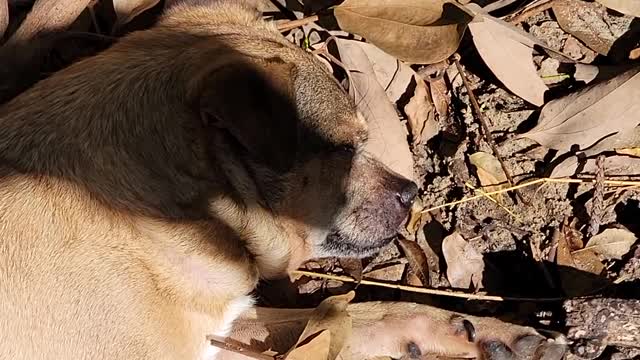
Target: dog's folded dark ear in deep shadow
<point>254,102</point>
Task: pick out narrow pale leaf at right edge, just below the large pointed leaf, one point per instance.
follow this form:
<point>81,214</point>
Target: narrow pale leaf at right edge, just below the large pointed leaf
<point>614,165</point>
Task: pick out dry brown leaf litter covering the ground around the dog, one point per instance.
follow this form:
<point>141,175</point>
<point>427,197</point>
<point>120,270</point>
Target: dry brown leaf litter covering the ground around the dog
<point>423,126</point>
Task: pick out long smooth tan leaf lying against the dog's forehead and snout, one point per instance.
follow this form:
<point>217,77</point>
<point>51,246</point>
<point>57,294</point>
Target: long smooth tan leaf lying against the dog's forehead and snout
<point>387,135</point>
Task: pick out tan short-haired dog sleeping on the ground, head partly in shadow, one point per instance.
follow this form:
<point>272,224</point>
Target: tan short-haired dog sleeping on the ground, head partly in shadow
<point>144,191</point>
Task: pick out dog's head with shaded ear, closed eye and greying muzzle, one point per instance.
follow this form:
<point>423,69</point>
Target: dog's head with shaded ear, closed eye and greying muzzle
<point>301,141</point>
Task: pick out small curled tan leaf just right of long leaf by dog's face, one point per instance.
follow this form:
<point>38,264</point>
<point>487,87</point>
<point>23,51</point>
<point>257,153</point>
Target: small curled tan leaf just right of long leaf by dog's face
<point>421,114</point>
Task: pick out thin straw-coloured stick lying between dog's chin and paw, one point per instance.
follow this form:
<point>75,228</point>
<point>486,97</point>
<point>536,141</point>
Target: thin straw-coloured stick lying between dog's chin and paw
<point>420,289</point>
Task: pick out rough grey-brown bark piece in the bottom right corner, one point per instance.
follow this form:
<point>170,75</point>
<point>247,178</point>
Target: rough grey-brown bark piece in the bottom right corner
<point>614,322</point>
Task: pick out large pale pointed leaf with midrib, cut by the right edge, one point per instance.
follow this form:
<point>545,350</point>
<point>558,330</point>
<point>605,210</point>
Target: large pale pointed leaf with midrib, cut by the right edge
<point>587,116</point>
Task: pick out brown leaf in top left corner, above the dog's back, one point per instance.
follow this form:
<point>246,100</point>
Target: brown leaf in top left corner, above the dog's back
<point>48,16</point>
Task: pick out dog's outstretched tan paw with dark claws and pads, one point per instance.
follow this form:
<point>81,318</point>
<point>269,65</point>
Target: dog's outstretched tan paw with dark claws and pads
<point>412,331</point>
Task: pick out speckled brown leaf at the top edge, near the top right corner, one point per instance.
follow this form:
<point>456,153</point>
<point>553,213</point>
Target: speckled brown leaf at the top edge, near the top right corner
<point>583,20</point>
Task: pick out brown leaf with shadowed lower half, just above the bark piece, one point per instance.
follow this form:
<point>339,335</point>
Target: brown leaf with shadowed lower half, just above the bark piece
<point>573,283</point>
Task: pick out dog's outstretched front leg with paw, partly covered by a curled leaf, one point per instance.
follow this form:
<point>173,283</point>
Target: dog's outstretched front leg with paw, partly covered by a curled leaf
<point>400,330</point>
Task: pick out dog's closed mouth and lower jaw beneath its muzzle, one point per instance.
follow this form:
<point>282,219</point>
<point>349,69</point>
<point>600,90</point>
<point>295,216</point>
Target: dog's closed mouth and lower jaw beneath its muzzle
<point>339,244</point>
